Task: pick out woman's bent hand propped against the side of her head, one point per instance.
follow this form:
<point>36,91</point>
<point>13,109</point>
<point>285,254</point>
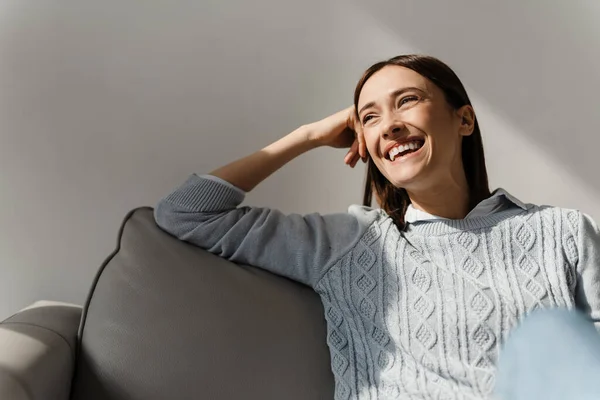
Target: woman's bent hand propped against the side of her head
<point>340,130</point>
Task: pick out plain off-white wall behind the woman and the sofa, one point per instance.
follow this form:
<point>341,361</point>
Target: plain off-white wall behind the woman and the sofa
<point>107,105</point>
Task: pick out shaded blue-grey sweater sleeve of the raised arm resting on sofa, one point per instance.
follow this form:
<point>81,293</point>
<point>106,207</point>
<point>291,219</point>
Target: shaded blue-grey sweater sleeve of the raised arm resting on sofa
<point>205,211</point>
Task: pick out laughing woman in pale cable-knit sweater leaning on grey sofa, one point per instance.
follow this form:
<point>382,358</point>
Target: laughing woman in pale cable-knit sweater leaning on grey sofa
<point>420,294</point>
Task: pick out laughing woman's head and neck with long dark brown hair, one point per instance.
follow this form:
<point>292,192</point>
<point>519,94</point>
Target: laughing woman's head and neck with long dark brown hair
<point>398,101</point>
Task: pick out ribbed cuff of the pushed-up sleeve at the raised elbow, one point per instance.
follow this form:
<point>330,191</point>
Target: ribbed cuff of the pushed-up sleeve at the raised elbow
<point>201,194</point>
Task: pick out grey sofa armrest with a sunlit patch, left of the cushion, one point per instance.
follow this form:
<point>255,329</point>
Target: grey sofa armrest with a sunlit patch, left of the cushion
<point>37,352</point>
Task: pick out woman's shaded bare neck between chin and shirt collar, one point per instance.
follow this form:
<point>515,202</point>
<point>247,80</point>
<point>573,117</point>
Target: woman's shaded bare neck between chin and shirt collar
<point>447,201</point>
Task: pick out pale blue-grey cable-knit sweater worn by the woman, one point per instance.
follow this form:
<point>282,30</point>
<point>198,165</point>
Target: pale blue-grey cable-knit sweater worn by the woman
<point>413,314</point>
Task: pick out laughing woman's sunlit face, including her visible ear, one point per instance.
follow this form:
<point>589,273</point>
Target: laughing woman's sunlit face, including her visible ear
<point>412,134</point>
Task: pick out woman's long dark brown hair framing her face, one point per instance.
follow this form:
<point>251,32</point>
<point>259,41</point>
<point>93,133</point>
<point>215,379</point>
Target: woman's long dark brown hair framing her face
<point>394,201</point>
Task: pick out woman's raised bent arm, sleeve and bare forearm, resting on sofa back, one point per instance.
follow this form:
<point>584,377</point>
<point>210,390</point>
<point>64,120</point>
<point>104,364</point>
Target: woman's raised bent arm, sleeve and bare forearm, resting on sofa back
<point>205,212</point>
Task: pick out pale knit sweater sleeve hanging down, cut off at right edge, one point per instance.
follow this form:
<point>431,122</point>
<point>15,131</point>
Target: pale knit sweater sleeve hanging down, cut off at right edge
<point>587,291</point>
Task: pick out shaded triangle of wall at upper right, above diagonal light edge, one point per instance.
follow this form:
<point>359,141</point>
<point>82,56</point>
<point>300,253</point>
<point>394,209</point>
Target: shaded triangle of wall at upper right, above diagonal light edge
<point>542,73</point>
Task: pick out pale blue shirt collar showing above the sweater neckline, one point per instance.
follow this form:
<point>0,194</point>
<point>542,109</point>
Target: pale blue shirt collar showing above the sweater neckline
<point>499,200</point>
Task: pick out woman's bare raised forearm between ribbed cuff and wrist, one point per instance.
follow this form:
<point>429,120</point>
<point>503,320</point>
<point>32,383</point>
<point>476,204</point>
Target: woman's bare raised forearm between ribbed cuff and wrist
<point>249,171</point>
